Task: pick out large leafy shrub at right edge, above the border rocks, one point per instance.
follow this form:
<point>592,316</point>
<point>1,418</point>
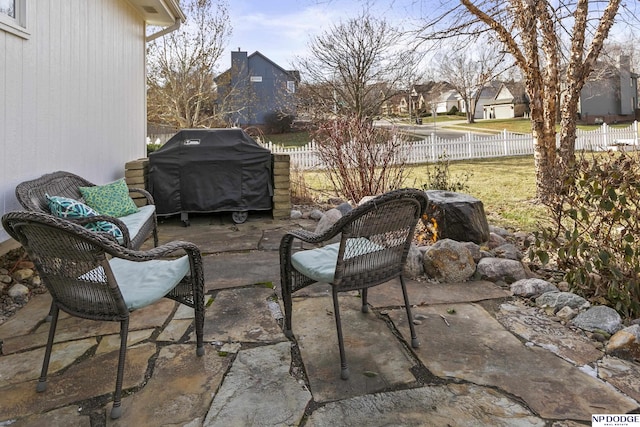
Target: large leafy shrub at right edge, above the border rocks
<point>595,238</point>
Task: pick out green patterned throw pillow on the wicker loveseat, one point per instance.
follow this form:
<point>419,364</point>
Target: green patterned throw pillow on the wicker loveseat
<point>110,199</point>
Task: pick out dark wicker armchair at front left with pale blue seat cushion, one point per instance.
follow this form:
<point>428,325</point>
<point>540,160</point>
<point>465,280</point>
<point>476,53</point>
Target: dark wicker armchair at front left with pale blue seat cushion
<point>90,275</point>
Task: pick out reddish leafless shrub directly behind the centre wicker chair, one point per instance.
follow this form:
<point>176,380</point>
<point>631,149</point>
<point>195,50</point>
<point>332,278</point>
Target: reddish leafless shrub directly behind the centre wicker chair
<point>362,160</point>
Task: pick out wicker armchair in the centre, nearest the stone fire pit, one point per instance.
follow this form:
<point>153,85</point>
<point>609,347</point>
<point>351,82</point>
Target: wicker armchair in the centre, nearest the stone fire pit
<point>374,242</point>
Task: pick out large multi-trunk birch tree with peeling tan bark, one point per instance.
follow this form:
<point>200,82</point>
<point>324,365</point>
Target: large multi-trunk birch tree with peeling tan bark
<point>533,32</point>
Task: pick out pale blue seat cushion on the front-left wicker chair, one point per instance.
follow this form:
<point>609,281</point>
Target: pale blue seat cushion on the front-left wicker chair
<point>143,283</point>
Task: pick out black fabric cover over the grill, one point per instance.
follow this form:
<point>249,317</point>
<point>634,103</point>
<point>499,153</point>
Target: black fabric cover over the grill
<point>210,170</point>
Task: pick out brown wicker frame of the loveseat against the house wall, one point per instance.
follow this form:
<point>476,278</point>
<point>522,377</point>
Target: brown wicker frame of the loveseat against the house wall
<point>32,196</point>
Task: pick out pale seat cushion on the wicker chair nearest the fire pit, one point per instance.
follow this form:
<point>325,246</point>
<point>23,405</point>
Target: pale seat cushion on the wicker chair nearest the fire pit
<point>320,264</point>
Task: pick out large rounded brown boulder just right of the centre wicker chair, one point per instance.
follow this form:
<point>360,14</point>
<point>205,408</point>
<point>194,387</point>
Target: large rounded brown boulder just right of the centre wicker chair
<point>449,261</point>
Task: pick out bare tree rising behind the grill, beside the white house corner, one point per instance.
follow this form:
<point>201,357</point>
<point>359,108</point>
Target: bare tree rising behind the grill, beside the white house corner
<point>181,66</point>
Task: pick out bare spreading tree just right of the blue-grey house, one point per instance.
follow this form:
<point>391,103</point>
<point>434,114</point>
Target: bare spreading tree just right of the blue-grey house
<point>355,66</point>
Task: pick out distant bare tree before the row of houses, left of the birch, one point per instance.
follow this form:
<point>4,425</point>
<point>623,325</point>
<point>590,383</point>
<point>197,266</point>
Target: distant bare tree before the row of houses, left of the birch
<point>469,70</point>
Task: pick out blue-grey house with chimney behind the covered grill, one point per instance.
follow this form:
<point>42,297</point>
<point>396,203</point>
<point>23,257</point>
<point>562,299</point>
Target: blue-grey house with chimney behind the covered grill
<point>256,91</point>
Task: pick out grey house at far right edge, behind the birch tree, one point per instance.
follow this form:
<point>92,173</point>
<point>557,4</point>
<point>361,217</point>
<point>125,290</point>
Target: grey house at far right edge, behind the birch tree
<point>610,94</point>
